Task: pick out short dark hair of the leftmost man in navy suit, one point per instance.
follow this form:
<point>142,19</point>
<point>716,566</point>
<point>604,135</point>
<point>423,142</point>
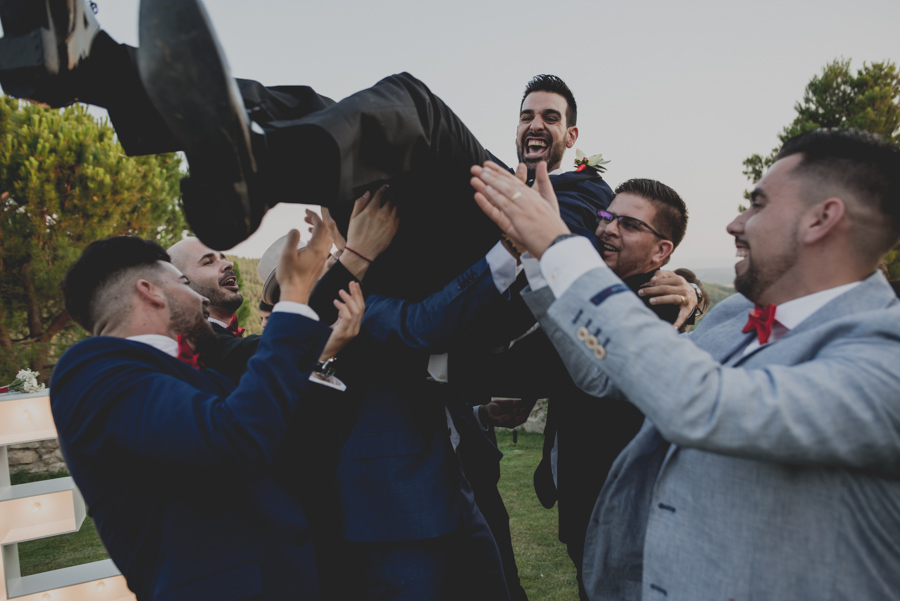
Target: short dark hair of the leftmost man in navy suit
<point>98,265</point>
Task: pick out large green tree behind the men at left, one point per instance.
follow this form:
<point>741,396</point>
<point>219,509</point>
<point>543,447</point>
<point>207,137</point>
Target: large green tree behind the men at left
<point>64,182</point>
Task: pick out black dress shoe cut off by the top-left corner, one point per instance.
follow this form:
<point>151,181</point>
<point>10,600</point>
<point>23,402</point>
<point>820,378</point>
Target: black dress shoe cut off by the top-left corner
<point>44,43</point>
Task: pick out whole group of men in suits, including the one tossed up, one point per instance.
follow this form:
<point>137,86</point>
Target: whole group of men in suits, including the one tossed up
<point>348,452</point>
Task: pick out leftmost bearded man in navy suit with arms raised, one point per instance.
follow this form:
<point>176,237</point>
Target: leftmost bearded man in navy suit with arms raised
<point>171,459</point>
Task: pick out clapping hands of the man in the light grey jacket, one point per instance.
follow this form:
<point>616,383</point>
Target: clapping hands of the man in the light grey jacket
<point>530,216</point>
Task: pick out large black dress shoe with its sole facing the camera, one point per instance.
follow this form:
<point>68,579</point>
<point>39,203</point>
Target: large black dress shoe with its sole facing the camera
<point>187,79</point>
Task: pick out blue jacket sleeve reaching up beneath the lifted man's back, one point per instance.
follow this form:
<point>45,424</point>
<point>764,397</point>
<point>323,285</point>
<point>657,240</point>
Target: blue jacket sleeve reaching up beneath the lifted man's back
<point>435,323</point>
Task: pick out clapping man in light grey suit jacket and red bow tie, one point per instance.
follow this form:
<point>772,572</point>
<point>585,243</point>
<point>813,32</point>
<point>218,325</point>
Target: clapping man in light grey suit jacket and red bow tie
<point>769,464</point>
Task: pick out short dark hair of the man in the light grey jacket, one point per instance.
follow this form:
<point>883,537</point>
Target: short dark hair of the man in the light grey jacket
<point>863,163</point>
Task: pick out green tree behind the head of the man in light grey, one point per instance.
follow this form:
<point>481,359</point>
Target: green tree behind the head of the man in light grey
<point>868,100</point>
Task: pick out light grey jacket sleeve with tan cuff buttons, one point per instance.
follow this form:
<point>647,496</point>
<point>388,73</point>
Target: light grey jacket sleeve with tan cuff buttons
<point>834,406</point>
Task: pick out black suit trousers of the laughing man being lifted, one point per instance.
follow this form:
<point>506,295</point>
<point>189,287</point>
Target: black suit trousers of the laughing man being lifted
<point>328,153</point>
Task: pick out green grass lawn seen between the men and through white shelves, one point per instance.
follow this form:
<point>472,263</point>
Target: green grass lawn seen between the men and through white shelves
<point>545,570</point>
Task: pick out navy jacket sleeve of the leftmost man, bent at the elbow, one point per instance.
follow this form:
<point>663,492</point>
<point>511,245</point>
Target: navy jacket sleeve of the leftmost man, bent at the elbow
<point>114,396</point>
